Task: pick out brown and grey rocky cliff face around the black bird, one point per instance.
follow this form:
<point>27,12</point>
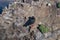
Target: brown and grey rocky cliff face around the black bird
<point>13,18</point>
